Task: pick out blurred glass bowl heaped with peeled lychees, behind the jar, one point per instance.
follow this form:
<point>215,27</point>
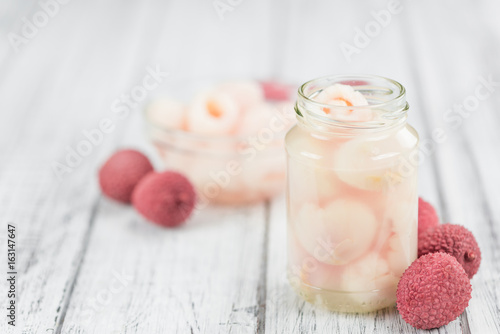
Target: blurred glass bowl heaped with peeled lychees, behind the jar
<point>227,139</point>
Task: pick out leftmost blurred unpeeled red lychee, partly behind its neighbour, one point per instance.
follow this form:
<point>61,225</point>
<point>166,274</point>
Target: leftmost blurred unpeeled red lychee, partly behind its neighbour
<point>121,173</point>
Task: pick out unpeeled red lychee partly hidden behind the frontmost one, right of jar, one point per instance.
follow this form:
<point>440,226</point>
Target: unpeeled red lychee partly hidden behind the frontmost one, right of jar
<point>455,240</point>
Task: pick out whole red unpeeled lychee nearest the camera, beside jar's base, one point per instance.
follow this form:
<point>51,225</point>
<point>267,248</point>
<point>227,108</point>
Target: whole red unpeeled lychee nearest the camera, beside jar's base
<point>433,291</point>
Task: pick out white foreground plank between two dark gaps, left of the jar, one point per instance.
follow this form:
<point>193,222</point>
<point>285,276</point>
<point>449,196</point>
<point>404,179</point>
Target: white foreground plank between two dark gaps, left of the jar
<point>200,278</point>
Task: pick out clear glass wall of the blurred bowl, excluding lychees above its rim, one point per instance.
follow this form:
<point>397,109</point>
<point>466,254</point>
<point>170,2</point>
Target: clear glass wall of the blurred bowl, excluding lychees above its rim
<point>227,170</point>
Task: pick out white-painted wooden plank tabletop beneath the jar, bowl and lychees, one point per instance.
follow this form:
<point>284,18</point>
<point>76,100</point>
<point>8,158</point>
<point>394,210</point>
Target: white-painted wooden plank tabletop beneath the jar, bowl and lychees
<point>87,265</point>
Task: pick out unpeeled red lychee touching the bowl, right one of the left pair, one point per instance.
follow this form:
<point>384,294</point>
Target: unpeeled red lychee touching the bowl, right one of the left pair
<point>166,198</point>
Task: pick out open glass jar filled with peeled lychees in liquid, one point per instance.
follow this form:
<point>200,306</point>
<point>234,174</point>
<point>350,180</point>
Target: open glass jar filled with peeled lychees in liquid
<point>352,195</point>
